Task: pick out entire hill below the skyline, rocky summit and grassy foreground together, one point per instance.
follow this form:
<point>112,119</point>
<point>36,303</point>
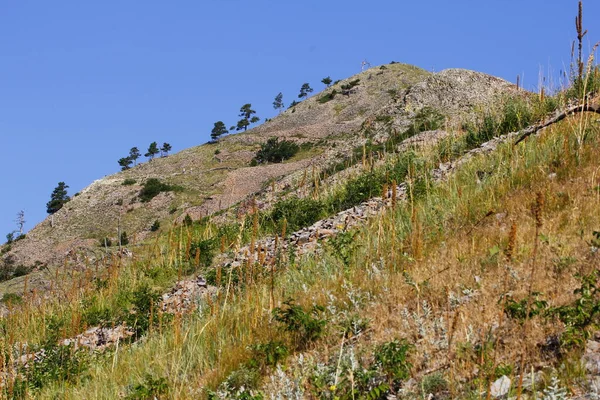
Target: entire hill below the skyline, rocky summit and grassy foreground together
<point>401,234</point>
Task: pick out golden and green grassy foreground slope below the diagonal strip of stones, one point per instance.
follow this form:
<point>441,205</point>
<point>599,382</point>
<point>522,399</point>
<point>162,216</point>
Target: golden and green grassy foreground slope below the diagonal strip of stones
<point>438,260</point>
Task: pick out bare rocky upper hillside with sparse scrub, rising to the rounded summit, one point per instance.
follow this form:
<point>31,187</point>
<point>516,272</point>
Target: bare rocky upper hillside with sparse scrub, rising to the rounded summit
<point>214,177</point>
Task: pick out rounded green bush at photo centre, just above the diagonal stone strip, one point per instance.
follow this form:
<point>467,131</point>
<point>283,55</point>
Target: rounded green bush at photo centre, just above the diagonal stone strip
<point>299,213</point>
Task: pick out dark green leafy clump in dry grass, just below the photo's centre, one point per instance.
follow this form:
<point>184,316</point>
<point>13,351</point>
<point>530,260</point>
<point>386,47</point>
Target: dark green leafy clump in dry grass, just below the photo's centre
<point>305,326</point>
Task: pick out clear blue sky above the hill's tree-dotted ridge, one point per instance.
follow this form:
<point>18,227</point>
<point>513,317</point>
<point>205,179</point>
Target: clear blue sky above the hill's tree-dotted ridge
<point>81,82</point>
